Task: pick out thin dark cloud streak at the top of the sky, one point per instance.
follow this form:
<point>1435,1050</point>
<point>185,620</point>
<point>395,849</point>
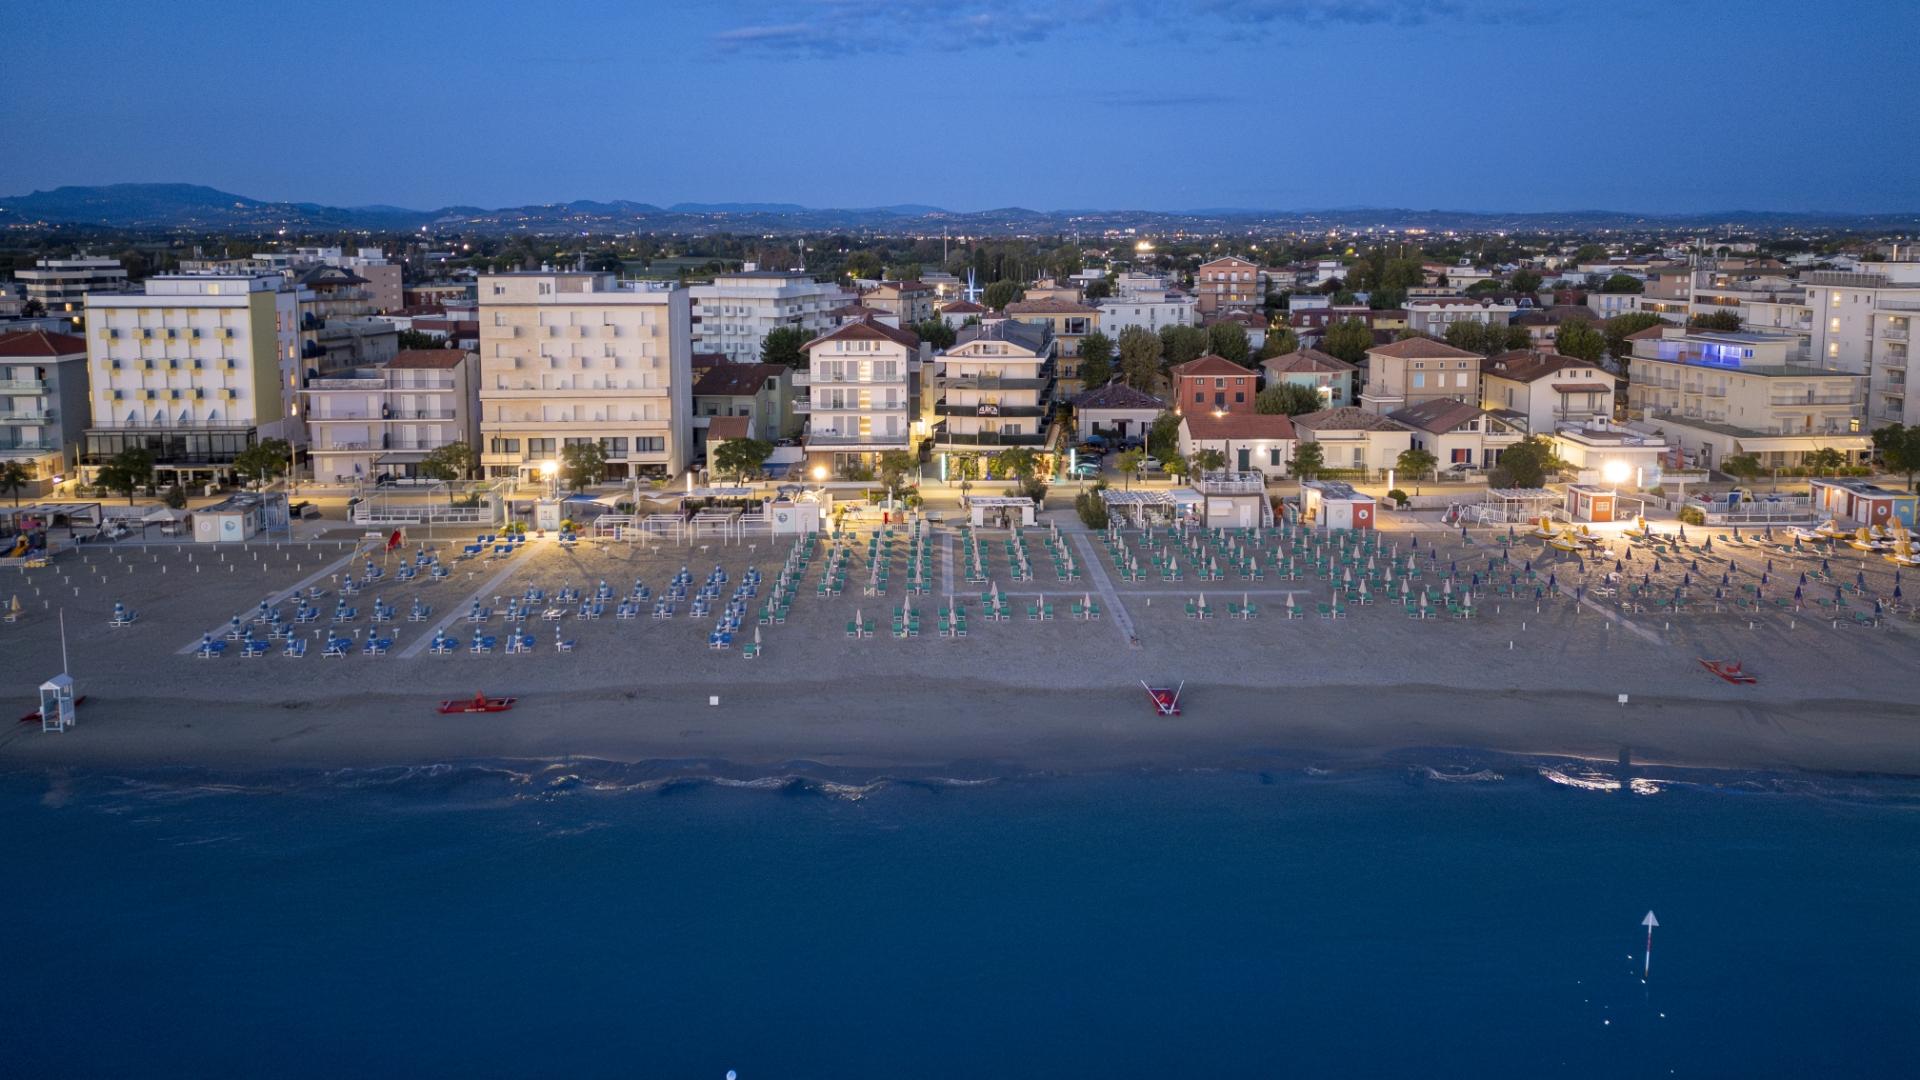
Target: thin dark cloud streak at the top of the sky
<point>838,28</point>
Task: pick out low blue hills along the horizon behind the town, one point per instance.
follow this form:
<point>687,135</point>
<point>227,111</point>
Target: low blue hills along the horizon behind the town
<point>203,209</point>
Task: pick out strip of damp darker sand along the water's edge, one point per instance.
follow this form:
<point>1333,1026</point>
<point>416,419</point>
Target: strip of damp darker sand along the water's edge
<point>1003,731</point>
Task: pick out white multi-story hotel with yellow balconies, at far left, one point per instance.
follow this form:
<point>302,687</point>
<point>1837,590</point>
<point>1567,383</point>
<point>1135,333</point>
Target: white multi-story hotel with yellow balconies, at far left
<point>193,370</point>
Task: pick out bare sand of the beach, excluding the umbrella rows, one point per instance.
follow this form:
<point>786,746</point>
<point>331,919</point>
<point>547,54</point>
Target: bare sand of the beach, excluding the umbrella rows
<point>1019,695</point>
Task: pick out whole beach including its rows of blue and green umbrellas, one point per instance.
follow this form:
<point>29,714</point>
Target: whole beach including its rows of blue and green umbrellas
<point>880,641</point>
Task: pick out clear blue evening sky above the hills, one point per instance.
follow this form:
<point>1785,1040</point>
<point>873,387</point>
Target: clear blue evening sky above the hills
<point>974,105</point>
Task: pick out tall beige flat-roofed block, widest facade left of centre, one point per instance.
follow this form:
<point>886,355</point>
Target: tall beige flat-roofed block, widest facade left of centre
<point>581,356</point>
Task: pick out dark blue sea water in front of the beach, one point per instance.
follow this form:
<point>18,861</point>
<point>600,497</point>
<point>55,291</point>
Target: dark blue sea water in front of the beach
<point>604,921</point>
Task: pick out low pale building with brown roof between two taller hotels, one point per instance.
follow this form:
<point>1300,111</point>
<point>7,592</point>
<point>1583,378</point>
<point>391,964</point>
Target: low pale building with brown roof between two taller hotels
<point>383,422</point>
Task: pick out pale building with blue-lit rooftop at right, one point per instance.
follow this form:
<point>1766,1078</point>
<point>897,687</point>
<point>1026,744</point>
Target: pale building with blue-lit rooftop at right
<point>1716,395</point>
